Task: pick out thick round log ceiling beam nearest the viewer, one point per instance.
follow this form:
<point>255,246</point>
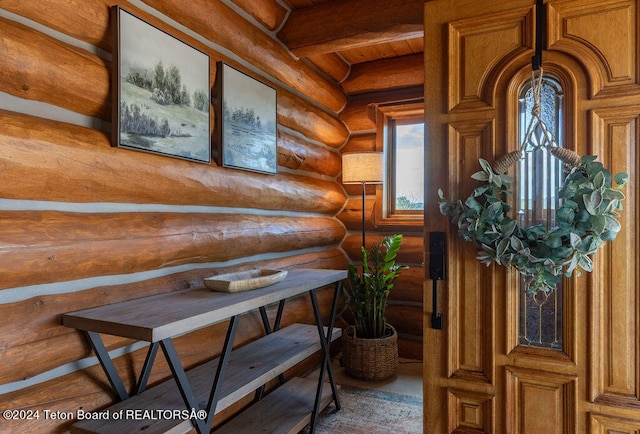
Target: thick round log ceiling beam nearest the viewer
<point>343,24</point>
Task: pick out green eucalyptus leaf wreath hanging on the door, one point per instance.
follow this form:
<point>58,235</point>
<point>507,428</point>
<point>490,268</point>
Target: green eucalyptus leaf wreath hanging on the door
<point>585,220</point>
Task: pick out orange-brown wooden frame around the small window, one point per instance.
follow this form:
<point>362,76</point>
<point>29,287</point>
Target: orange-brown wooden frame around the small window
<point>386,115</point>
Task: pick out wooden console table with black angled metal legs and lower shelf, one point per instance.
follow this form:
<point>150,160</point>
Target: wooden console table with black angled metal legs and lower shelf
<point>191,399</point>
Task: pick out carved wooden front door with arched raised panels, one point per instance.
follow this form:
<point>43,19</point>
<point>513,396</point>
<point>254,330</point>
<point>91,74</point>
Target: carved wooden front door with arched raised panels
<point>478,377</point>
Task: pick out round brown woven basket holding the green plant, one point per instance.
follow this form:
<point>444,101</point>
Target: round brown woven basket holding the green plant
<point>369,359</point>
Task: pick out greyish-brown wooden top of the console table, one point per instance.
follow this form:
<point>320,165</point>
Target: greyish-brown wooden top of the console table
<point>171,314</point>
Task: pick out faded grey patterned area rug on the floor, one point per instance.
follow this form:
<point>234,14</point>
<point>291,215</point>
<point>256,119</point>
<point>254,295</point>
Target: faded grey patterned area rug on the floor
<point>365,411</point>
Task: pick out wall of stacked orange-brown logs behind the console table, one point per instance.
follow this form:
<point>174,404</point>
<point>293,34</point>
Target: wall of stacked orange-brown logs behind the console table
<point>84,224</point>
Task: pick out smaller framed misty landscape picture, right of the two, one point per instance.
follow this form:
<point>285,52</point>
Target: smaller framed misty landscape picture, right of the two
<point>246,122</point>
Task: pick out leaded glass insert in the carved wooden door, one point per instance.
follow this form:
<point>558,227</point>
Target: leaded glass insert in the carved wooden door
<point>539,177</point>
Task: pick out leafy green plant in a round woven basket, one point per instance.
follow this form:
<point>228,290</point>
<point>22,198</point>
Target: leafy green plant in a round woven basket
<point>370,347</point>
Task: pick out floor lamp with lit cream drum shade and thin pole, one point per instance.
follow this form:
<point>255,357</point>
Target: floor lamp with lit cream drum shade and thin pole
<point>363,168</point>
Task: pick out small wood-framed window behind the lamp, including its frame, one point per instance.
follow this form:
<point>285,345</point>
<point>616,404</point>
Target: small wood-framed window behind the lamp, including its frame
<point>400,134</point>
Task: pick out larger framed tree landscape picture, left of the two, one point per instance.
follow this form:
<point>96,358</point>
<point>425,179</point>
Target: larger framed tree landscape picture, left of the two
<point>162,91</point>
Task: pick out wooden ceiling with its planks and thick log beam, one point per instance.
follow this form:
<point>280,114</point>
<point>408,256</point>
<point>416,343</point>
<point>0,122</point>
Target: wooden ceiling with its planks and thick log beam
<point>351,39</point>
